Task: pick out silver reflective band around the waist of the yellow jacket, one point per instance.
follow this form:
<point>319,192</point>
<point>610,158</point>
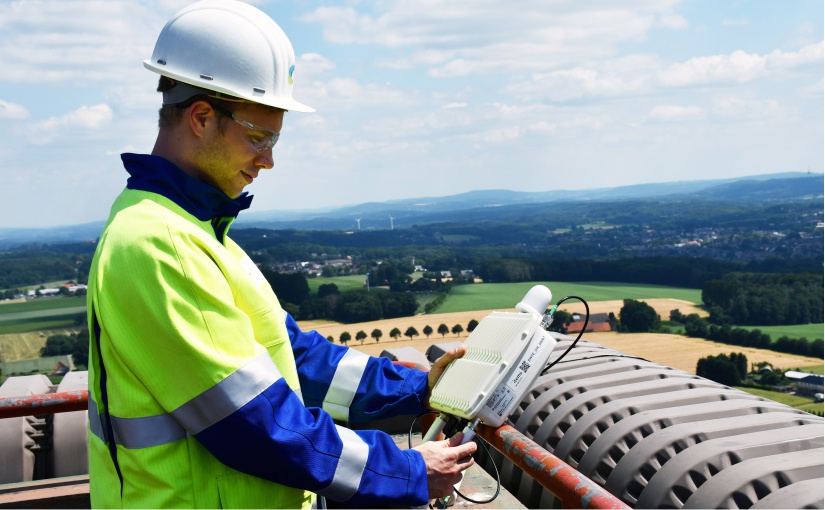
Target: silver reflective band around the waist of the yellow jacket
<point>137,432</point>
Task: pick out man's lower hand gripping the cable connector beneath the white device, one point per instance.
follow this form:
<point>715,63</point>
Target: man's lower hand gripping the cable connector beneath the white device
<point>445,461</point>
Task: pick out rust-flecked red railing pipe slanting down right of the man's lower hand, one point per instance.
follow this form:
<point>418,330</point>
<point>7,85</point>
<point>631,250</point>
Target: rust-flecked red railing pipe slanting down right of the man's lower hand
<point>573,489</point>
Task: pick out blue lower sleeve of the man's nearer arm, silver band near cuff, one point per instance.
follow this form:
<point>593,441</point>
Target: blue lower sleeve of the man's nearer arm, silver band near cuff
<point>275,437</point>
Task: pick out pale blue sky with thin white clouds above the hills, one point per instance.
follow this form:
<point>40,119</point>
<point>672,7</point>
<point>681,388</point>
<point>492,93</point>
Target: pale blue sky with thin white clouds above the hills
<point>429,98</point>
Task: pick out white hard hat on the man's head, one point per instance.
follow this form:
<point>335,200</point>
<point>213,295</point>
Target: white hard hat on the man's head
<point>229,47</point>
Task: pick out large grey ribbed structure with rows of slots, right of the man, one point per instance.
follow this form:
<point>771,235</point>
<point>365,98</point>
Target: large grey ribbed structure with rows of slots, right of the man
<point>658,437</point>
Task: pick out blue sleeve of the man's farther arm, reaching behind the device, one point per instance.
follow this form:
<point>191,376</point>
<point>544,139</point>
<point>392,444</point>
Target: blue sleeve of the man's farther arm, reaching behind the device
<point>352,386</point>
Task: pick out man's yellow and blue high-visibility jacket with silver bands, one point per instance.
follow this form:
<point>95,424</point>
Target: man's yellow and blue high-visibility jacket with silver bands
<point>204,392</point>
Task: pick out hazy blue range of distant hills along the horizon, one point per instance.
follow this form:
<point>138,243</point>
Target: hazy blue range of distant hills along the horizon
<point>475,206</point>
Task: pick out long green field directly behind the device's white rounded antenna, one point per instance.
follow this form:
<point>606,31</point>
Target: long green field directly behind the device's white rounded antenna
<point>489,296</point>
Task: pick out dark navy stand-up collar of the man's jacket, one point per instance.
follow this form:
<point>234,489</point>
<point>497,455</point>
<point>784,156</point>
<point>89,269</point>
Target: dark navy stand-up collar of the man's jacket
<point>159,175</point>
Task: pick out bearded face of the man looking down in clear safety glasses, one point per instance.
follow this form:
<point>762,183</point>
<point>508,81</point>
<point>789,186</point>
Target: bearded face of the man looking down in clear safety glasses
<point>227,160</point>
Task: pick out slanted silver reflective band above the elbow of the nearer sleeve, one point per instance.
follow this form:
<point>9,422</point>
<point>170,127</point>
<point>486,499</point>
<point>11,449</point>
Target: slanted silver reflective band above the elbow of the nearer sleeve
<point>229,395</point>
